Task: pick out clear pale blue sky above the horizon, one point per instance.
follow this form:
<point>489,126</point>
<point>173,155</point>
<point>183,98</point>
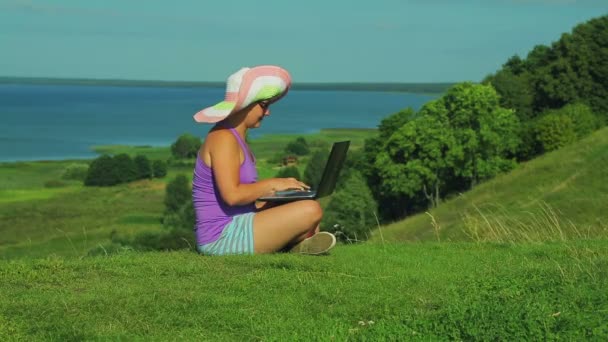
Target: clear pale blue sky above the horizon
<point>316,40</point>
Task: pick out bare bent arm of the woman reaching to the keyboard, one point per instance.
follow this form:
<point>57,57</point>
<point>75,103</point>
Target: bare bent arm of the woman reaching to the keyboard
<point>225,162</point>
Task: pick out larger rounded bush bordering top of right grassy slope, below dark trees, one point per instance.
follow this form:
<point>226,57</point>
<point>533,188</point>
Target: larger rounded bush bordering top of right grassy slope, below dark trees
<point>554,131</point>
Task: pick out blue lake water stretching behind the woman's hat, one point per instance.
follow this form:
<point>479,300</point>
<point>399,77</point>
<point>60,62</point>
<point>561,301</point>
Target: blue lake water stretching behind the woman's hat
<point>45,122</point>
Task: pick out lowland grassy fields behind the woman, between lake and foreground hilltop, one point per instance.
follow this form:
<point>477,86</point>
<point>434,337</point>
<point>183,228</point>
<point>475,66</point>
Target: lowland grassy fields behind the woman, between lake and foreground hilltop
<point>68,219</point>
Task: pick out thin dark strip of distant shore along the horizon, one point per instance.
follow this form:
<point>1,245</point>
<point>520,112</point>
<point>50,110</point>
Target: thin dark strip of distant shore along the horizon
<point>417,88</point>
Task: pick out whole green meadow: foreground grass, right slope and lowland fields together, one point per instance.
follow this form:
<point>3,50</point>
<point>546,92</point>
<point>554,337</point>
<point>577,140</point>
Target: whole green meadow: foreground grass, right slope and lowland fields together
<point>425,278</point>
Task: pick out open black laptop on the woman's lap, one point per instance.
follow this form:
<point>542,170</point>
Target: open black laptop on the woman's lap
<point>326,186</point>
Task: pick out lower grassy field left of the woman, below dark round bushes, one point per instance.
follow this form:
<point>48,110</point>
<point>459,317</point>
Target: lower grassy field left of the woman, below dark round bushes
<point>72,221</point>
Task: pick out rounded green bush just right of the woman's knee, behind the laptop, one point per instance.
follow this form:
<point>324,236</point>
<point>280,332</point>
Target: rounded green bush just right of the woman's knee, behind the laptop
<point>350,214</point>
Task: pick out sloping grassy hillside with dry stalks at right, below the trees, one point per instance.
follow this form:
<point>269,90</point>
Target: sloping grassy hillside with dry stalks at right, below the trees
<point>559,196</point>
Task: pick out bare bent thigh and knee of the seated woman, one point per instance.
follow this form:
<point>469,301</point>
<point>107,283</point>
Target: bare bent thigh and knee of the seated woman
<point>275,228</point>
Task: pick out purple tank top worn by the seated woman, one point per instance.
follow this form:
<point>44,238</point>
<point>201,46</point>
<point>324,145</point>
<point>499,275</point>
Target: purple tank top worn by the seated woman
<point>212,213</point>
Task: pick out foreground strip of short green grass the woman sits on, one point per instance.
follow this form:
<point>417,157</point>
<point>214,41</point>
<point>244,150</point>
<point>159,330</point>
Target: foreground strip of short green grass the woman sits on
<point>367,292</point>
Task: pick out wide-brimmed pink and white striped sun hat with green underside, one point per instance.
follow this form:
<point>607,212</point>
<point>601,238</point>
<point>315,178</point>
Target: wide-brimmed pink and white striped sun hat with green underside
<point>247,86</point>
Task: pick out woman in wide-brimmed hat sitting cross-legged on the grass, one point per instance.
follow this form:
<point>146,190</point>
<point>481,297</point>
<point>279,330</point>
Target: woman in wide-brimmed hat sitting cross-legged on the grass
<point>229,219</point>
